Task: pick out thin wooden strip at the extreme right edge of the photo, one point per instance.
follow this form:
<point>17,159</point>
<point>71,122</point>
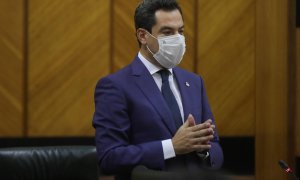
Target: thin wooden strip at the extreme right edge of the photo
<point>298,95</point>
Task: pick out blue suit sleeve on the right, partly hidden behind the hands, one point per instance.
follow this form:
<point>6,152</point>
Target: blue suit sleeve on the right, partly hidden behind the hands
<point>216,153</point>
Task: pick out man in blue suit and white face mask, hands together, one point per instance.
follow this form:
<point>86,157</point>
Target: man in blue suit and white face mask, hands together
<point>151,112</point>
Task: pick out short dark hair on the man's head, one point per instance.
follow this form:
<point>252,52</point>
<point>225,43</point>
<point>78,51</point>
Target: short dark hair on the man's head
<point>145,12</point>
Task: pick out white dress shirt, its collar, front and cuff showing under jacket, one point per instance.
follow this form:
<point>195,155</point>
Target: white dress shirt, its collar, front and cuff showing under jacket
<point>167,144</point>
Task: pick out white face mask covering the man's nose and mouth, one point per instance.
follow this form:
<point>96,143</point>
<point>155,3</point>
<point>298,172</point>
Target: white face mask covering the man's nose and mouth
<point>171,50</point>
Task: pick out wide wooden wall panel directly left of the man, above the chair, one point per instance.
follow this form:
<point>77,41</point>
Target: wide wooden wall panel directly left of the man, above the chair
<point>69,43</point>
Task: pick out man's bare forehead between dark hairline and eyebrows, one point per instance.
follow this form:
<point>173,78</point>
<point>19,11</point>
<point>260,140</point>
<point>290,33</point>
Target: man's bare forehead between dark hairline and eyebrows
<point>171,19</point>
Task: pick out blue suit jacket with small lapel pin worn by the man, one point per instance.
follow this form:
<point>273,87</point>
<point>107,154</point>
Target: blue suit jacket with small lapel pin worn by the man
<point>131,119</point>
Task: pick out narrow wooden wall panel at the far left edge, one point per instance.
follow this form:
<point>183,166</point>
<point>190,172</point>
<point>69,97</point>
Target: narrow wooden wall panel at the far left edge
<point>11,67</point>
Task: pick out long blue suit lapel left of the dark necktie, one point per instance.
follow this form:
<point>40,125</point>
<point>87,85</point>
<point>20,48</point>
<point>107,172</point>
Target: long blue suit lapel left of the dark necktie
<point>147,85</point>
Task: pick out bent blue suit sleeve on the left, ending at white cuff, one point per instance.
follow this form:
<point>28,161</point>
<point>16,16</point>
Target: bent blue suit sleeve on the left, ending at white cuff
<point>111,120</point>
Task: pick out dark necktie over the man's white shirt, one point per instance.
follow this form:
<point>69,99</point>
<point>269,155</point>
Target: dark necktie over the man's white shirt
<point>169,97</point>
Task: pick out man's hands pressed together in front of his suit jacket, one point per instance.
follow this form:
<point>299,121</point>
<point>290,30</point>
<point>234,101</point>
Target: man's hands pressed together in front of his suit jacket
<point>191,137</point>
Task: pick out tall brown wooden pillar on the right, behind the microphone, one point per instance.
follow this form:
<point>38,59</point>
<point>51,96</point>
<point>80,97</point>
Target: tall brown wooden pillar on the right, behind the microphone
<point>272,139</point>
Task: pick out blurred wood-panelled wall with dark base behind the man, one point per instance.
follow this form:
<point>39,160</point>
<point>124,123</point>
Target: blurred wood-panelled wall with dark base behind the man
<point>53,52</point>
